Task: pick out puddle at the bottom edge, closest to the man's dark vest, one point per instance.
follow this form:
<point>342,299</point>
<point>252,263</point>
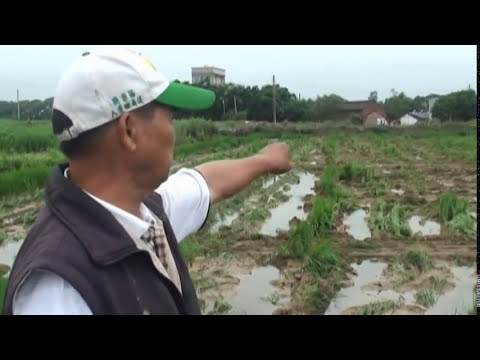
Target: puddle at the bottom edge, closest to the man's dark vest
<point>255,294</point>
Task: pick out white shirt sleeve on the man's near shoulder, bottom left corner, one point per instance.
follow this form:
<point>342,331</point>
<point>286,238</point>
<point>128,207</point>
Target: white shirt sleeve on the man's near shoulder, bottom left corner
<point>45,293</point>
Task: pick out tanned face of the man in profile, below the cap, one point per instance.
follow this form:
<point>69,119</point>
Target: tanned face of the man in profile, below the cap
<point>154,156</point>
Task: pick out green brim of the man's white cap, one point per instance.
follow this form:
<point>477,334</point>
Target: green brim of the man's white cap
<point>187,97</point>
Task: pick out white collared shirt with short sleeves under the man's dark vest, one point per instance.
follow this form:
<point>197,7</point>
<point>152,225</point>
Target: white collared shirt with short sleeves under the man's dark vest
<point>186,192</point>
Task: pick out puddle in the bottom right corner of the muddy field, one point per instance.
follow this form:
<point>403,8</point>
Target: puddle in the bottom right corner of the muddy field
<point>460,300</point>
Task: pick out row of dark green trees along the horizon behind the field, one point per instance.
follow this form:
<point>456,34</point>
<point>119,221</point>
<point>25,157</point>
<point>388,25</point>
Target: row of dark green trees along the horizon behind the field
<point>237,102</point>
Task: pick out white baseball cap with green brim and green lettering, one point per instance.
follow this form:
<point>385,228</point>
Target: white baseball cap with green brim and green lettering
<point>100,86</point>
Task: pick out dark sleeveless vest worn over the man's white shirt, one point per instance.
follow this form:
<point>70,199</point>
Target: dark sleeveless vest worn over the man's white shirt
<point>78,239</point>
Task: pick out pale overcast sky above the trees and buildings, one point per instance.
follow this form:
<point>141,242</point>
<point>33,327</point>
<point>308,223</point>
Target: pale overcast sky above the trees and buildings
<point>351,71</point>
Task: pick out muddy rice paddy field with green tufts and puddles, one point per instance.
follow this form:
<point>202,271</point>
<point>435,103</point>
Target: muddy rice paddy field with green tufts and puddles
<point>371,221</point>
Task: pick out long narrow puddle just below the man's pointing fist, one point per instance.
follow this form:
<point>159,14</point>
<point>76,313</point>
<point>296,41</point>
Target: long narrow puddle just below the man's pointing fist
<point>281,216</point>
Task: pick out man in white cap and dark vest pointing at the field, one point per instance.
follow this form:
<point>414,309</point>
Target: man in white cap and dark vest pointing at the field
<point>107,240</point>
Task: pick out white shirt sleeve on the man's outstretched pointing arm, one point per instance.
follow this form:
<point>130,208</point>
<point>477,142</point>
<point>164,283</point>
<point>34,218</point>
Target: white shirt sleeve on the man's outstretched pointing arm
<point>186,200</point>
